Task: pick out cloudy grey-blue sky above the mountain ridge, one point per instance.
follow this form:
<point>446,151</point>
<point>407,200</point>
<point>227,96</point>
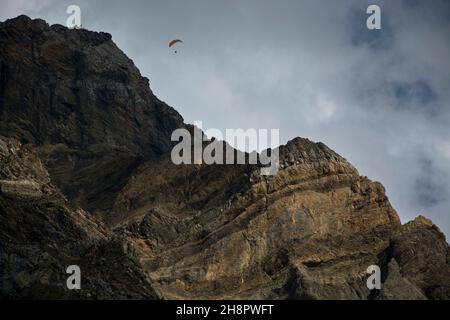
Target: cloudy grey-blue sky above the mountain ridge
<point>380,98</point>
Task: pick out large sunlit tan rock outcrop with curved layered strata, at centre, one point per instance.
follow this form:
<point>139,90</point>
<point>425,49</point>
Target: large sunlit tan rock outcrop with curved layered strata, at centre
<point>308,232</point>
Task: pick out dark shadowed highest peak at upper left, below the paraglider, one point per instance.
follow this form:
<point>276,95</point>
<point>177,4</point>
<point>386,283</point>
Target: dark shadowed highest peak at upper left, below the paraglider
<point>83,103</point>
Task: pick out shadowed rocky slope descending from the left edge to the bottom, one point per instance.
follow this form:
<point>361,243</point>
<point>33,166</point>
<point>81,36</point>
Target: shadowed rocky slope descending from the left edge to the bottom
<point>41,235</point>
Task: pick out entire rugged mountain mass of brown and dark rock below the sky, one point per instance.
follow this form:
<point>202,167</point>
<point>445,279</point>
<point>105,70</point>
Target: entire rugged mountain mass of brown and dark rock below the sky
<point>86,179</point>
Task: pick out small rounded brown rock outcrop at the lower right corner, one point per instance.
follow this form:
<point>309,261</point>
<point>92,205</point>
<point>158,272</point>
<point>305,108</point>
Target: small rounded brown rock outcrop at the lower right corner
<point>419,257</point>
